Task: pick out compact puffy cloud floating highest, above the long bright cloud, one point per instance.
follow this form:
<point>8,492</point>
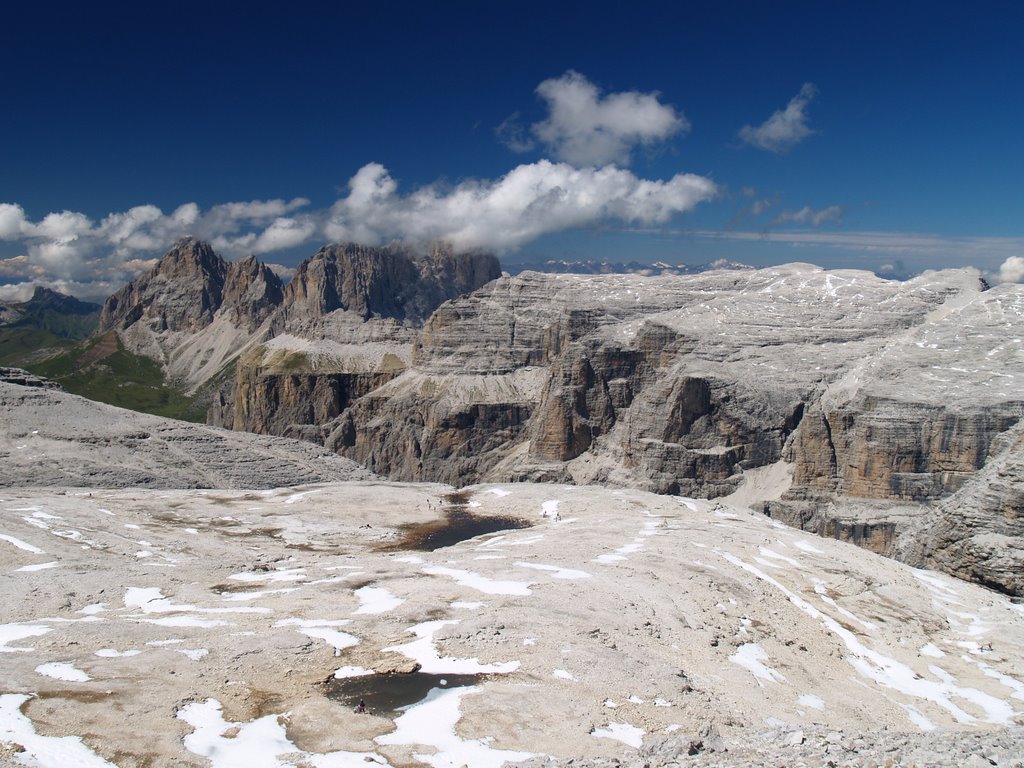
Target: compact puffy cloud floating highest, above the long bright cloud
<point>586,130</point>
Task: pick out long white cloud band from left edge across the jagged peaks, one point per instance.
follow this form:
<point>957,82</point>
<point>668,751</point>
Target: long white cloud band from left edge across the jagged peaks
<point>69,250</point>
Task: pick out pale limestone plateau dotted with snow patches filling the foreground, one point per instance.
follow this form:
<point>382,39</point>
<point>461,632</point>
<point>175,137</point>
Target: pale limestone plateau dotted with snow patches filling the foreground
<point>172,627</point>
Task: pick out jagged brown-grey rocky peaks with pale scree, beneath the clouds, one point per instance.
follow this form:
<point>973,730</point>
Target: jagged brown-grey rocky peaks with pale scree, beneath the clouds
<point>195,314</point>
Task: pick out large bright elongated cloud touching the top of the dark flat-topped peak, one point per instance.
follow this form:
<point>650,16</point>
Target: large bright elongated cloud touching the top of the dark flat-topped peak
<point>530,201</point>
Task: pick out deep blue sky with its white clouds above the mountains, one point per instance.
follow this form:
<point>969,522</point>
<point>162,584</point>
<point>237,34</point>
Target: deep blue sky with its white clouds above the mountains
<point>884,137</point>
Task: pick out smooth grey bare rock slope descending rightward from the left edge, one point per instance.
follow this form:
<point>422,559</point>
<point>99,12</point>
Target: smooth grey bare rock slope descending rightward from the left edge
<point>52,439</point>
